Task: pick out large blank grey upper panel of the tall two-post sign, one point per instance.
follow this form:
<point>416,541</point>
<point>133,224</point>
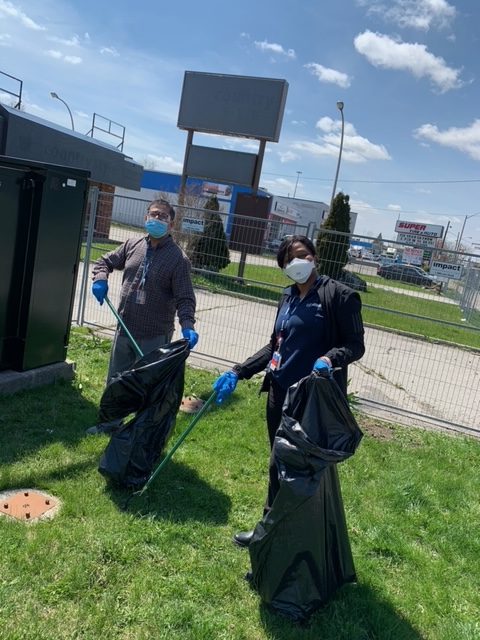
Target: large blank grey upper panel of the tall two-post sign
<point>231,105</point>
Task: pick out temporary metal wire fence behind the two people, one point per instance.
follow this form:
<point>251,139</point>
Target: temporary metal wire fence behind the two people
<point>422,360</point>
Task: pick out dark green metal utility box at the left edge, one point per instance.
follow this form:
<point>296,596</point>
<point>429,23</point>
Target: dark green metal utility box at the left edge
<point>42,210</point>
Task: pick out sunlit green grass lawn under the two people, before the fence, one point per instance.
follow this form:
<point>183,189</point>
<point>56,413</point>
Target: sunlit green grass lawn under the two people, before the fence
<point>166,567</point>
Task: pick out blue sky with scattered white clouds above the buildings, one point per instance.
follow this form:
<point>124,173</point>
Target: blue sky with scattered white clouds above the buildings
<point>408,72</point>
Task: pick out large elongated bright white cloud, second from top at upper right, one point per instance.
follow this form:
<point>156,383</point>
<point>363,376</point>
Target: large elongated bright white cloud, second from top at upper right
<point>384,52</point>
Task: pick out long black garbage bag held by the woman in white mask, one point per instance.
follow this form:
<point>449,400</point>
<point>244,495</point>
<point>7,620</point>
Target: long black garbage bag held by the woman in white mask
<point>300,551</point>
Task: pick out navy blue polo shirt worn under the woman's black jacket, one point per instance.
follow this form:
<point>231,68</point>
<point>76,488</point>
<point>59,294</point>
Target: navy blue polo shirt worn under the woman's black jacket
<point>301,326</point>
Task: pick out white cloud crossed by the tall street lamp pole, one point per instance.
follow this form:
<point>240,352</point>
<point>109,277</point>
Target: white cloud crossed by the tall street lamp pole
<point>355,148</point>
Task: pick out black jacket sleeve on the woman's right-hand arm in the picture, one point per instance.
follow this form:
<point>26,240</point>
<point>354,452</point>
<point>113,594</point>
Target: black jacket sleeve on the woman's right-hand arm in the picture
<point>349,342</point>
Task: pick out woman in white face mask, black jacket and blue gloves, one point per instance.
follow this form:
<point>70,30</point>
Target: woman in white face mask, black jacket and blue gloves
<point>318,326</point>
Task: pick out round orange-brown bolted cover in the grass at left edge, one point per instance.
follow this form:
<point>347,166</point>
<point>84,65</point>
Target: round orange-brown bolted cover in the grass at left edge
<point>28,505</point>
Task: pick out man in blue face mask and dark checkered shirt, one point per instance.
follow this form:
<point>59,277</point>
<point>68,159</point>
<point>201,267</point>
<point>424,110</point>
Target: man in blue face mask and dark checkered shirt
<point>156,283</point>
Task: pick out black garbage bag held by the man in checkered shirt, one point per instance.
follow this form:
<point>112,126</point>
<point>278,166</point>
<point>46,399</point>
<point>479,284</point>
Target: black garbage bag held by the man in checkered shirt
<point>153,390</point>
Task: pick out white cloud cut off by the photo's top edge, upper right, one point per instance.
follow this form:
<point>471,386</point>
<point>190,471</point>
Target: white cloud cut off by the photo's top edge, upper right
<point>417,14</point>
